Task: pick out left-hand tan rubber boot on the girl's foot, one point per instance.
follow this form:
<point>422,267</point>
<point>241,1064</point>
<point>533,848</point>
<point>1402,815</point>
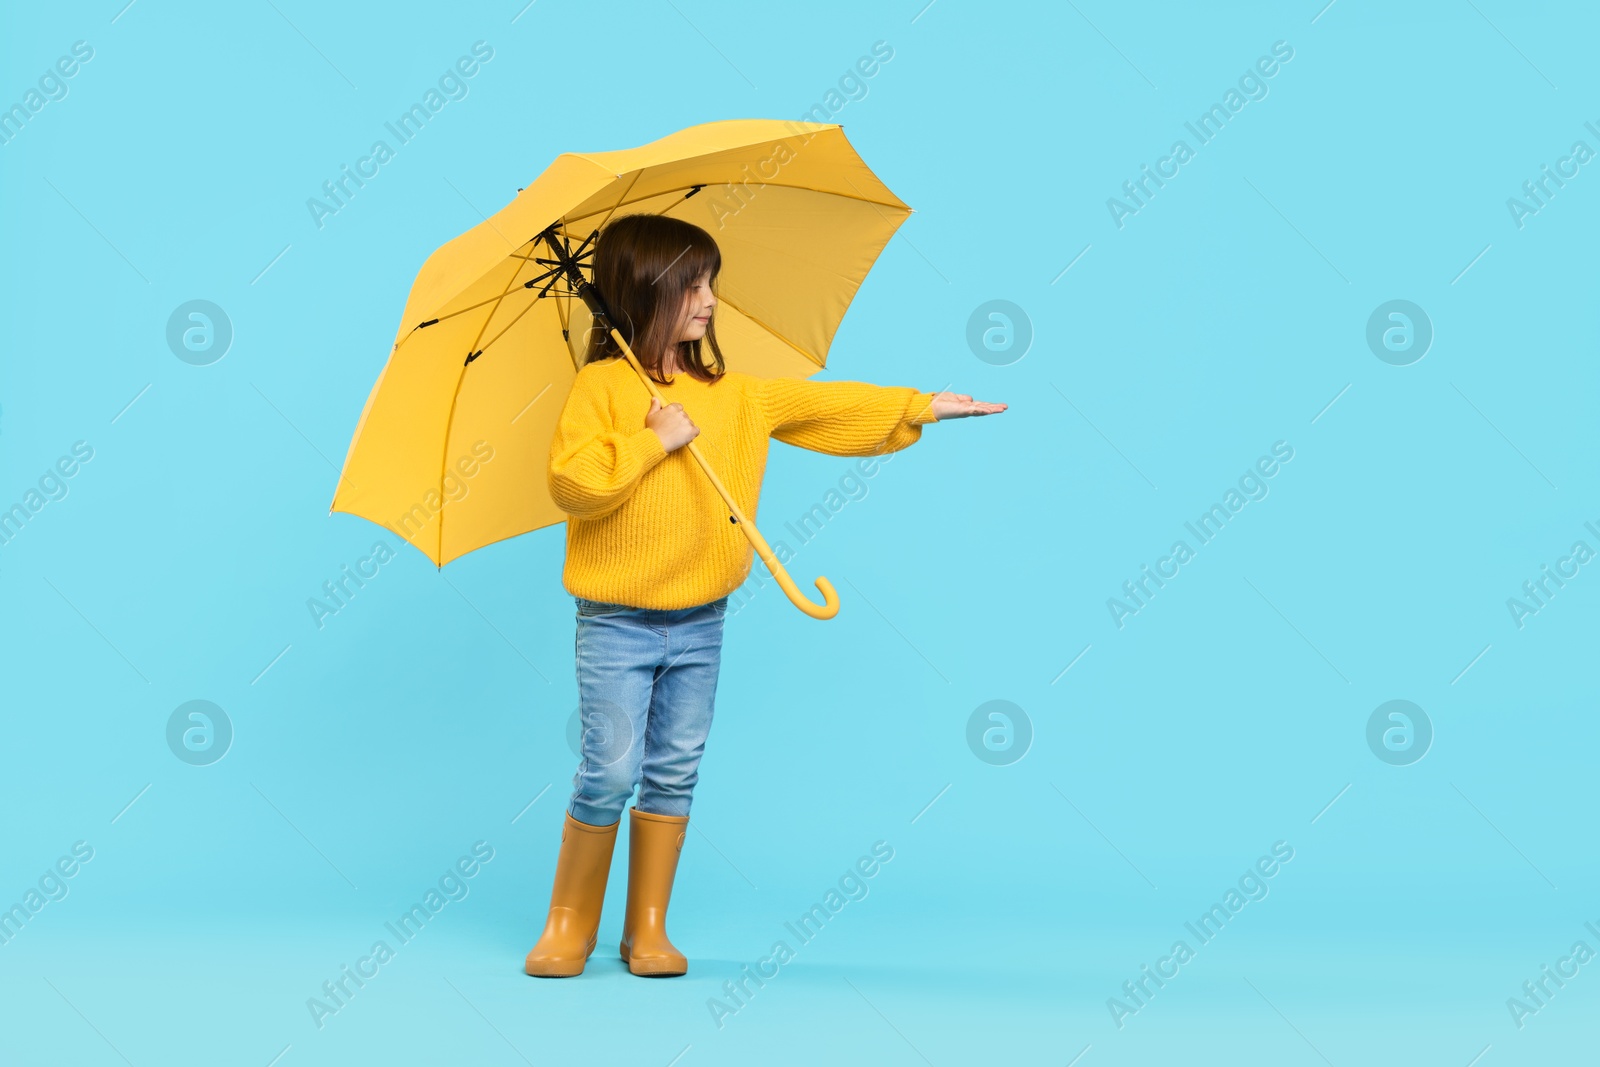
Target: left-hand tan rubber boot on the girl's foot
<point>574,924</point>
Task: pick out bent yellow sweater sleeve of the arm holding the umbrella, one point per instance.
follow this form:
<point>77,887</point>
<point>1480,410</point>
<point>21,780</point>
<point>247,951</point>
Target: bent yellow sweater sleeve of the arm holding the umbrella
<point>596,466</point>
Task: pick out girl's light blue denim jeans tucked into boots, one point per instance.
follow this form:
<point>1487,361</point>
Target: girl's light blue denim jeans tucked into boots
<point>647,684</point>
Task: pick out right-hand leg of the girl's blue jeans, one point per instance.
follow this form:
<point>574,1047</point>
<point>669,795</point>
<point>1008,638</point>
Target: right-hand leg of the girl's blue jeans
<point>682,711</point>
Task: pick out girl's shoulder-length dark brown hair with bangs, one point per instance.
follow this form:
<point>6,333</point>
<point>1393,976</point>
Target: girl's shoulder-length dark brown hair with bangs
<point>644,268</point>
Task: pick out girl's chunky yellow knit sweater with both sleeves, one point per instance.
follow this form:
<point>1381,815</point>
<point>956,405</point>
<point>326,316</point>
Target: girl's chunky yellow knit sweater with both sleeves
<point>647,527</point>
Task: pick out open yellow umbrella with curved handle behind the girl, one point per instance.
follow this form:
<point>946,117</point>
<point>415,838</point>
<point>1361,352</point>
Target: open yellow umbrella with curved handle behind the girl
<point>454,444</point>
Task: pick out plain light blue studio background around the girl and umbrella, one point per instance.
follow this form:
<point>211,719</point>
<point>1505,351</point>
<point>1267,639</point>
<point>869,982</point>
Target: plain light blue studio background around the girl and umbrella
<point>1226,316</point>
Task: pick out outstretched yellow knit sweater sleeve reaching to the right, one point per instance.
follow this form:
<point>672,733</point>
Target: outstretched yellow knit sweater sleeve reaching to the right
<point>844,418</point>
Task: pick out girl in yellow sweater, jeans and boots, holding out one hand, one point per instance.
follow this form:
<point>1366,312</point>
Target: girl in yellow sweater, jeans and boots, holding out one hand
<point>652,559</point>
